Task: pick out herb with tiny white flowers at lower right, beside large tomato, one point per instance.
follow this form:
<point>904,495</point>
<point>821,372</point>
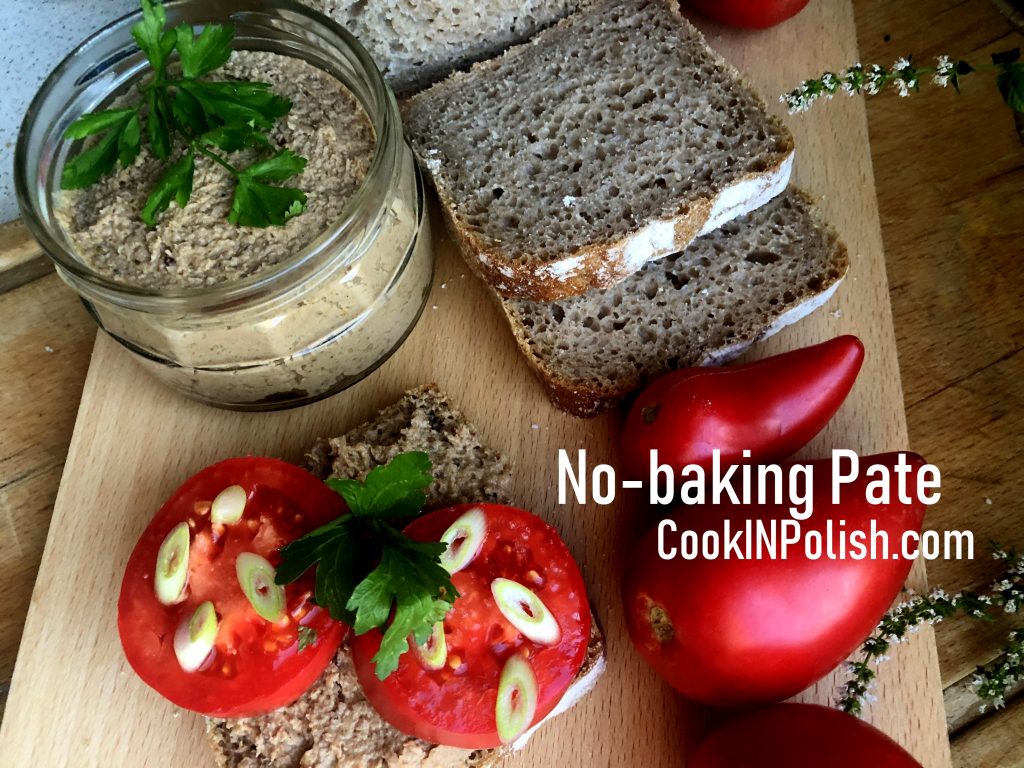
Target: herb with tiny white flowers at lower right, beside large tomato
<point>991,682</point>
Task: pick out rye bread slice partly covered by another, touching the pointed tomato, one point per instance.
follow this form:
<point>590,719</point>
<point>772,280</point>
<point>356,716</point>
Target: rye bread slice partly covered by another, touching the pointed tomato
<point>704,307</point>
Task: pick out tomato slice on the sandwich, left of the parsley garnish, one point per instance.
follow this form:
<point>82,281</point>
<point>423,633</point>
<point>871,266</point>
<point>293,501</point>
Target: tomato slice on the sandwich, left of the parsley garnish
<point>255,665</point>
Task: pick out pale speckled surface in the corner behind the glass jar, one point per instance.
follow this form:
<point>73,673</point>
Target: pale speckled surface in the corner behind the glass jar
<point>35,36</point>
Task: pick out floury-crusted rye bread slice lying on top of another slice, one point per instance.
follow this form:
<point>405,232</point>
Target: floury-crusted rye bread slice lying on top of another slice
<point>613,139</point>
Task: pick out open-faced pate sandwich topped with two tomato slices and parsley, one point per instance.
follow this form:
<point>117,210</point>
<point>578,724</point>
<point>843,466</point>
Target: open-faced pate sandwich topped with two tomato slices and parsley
<point>385,608</point>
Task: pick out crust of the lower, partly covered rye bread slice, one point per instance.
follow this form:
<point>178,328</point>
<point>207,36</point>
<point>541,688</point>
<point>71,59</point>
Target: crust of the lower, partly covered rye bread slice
<point>588,399</point>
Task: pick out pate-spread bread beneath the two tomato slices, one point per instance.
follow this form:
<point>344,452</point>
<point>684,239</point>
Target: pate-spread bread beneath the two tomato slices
<point>332,726</point>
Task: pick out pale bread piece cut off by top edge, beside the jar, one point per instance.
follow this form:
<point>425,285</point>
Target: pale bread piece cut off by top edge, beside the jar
<point>418,42</point>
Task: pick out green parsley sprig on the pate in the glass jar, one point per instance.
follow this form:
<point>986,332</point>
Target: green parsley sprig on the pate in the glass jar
<point>205,118</point>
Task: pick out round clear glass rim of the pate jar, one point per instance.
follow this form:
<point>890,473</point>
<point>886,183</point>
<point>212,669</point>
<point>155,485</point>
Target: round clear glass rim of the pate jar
<point>386,120</point>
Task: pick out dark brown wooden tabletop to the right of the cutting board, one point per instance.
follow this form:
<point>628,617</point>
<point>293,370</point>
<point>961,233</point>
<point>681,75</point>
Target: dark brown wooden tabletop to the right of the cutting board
<point>950,173</point>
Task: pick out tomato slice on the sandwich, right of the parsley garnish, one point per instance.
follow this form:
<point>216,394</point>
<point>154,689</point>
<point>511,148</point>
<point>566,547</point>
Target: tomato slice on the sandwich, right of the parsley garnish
<point>457,704</point>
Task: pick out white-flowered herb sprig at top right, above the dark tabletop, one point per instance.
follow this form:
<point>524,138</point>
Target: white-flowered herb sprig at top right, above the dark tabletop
<point>906,77</point>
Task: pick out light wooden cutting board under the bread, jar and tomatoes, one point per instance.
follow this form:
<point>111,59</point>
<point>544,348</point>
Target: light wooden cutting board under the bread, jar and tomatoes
<point>75,702</point>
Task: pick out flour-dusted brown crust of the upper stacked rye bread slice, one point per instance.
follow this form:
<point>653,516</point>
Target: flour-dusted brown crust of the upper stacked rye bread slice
<point>604,264</point>
